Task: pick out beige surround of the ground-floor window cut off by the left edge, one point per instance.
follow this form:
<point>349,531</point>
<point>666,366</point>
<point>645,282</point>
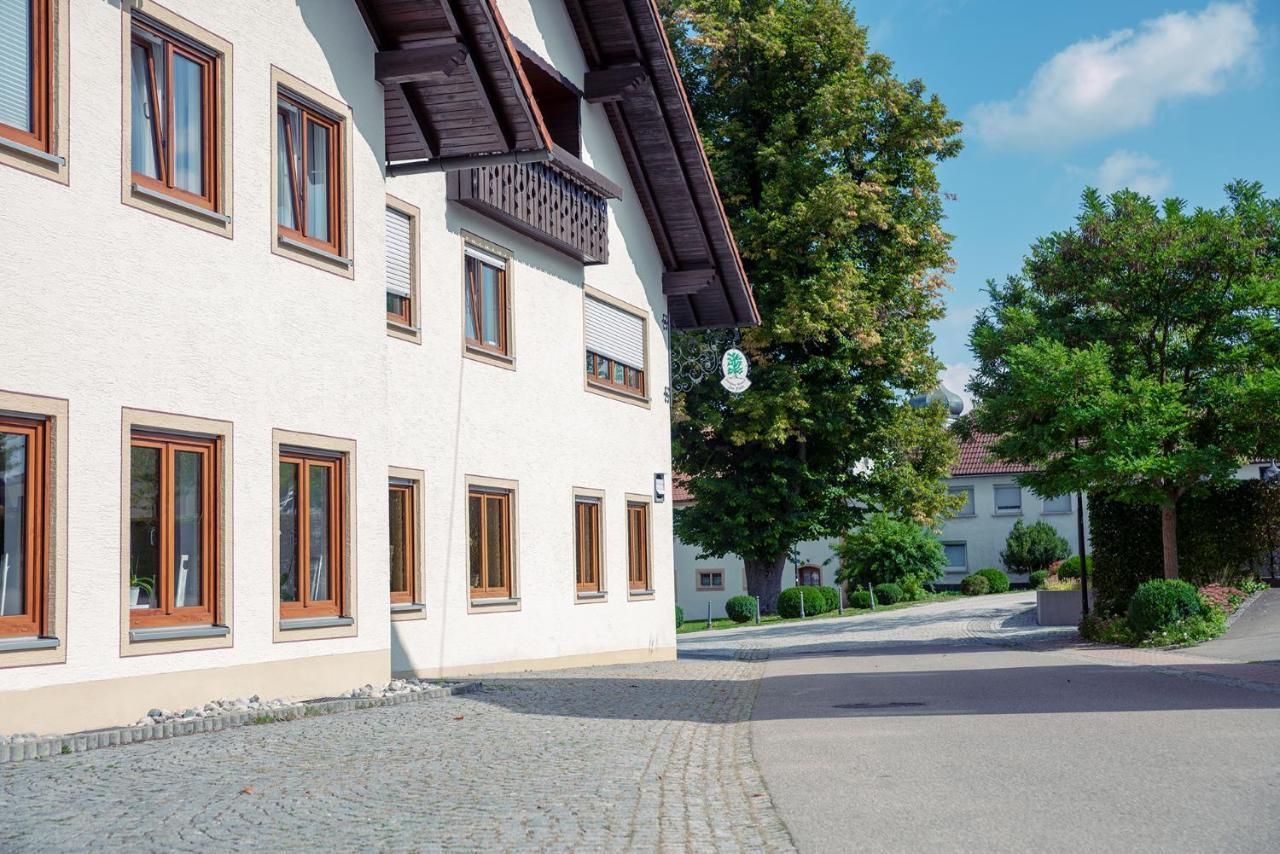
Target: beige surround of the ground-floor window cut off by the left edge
<point>52,647</point>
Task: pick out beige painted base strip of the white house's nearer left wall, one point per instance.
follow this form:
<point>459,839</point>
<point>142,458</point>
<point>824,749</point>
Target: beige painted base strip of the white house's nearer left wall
<point>120,702</point>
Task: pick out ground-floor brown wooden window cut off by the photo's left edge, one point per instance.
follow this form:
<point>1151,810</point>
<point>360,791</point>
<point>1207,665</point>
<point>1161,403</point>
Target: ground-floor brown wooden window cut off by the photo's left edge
<point>24,519</point>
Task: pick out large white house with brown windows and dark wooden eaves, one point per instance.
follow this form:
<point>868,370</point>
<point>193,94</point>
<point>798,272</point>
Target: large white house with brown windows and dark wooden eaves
<point>335,344</point>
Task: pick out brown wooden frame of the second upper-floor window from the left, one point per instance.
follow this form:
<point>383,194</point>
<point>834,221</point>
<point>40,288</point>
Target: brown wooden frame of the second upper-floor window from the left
<point>211,65</point>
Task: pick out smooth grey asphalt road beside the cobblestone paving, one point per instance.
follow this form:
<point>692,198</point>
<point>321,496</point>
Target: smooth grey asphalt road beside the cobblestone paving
<point>949,743</point>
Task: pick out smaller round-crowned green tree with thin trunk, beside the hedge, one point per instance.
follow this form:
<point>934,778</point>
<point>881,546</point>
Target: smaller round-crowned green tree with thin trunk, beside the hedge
<point>1139,354</point>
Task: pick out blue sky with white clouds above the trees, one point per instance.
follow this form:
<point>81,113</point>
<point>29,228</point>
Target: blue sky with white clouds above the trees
<point>1172,98</point>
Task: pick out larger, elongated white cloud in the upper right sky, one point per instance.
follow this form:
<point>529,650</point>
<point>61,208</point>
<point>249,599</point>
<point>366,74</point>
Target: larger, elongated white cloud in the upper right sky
<point>1103,86</point>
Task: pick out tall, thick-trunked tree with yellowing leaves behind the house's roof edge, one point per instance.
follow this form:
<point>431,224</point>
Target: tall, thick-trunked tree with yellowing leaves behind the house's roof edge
<point>828,167</point>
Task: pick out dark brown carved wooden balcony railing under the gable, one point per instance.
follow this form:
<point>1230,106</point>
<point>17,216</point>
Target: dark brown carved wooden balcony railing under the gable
<point>561,203</point>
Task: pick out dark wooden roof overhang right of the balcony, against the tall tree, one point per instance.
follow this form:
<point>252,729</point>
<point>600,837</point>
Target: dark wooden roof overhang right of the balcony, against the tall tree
<point>633,74</point>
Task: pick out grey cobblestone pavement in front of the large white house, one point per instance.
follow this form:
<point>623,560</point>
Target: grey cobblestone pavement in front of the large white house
<point>646,757</point>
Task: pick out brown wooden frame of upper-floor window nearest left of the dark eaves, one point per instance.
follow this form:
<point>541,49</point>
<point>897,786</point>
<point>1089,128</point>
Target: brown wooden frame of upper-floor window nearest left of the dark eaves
<point>337,177</point>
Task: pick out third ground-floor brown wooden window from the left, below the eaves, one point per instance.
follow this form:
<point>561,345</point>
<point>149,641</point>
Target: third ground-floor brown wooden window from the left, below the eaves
<point>313,518</point>
